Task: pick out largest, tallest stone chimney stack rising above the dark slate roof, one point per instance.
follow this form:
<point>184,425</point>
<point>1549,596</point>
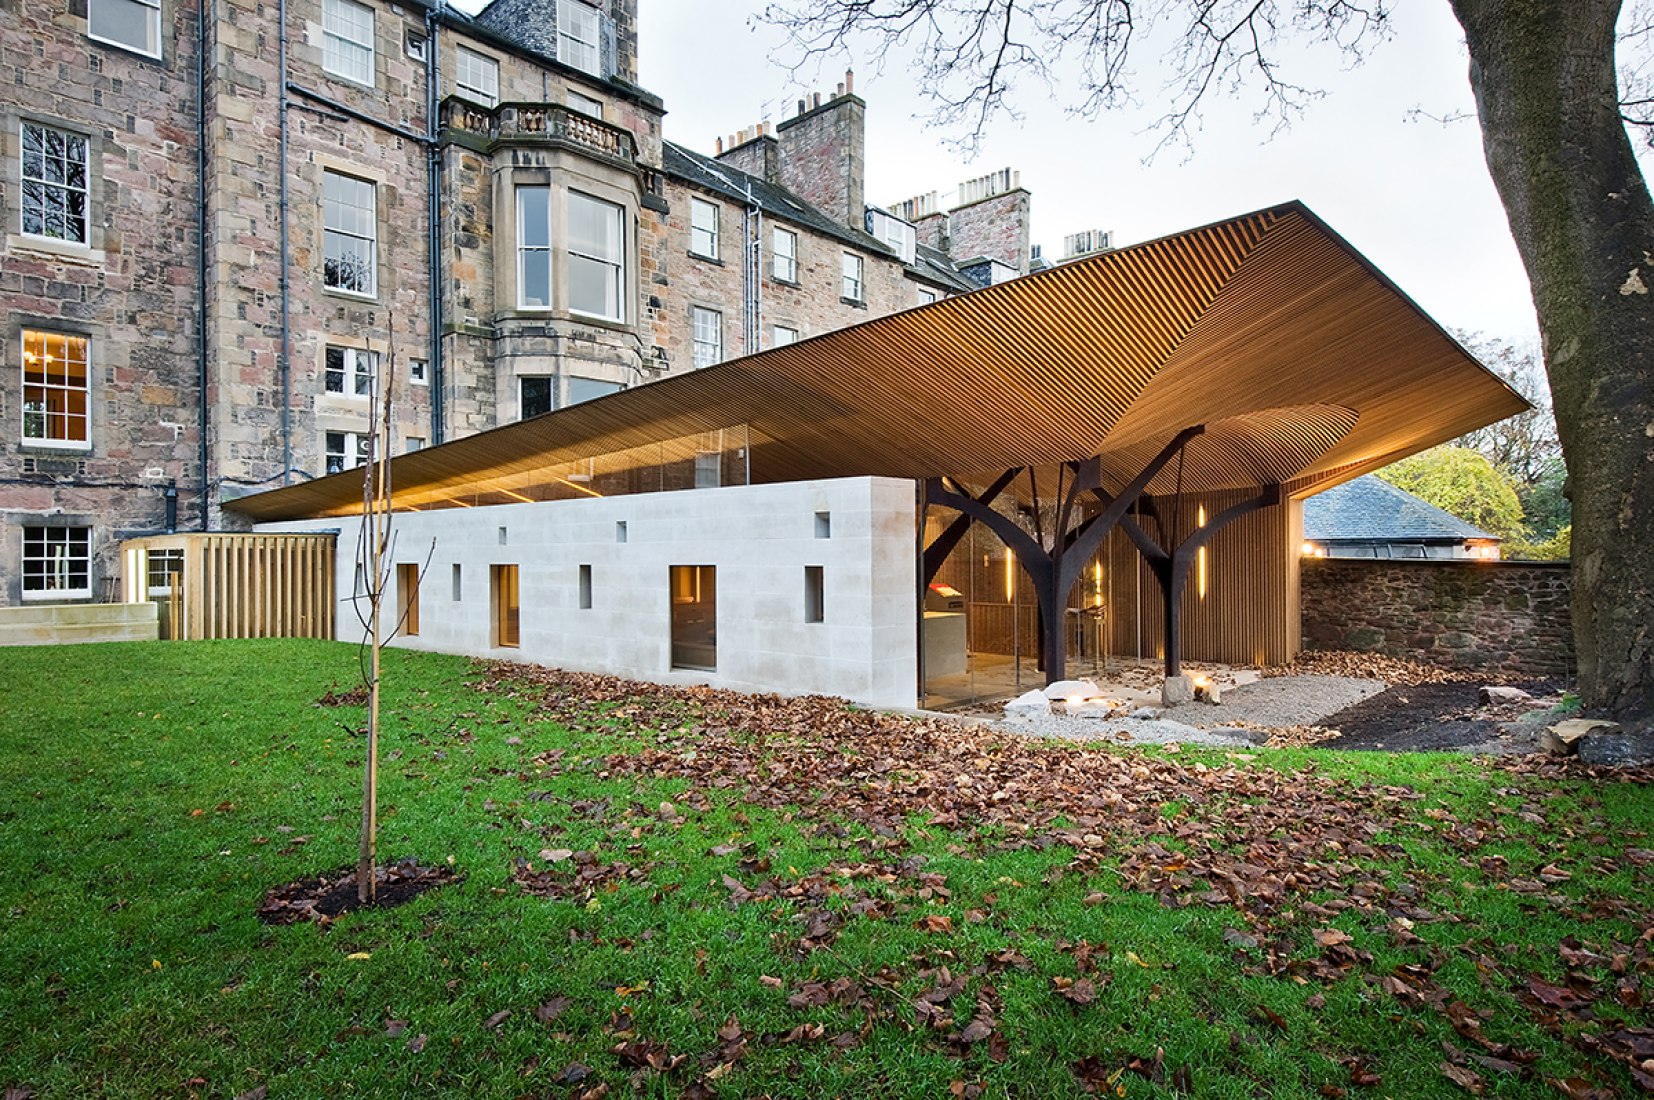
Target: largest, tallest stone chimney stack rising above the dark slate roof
<point>823,153</point>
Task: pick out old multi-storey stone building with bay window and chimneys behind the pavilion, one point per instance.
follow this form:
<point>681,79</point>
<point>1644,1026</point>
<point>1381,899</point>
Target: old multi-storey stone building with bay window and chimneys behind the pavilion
<point>229,232</point>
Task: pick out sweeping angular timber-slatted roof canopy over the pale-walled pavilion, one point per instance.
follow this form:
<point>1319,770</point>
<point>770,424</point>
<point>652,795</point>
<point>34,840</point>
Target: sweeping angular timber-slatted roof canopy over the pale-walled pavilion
<point>1304,361</point>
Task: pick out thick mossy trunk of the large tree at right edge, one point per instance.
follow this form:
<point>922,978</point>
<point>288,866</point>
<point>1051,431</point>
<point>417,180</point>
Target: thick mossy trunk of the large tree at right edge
<point>1580,213</point>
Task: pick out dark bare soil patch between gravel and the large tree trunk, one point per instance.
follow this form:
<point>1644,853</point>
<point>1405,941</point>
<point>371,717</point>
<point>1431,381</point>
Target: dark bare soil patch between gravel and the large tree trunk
<point>1432,717</point>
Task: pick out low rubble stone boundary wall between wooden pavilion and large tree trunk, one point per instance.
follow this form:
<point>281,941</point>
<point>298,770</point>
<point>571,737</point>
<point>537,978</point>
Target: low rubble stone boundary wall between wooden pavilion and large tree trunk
<point>1506,618</point>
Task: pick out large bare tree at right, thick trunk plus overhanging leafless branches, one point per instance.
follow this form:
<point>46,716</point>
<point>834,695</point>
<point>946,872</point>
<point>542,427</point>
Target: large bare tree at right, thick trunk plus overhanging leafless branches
<point>1554,130</point>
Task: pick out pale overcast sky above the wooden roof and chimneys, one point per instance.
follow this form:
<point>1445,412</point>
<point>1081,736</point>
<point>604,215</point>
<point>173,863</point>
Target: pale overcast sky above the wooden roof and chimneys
<point>1413,196</point>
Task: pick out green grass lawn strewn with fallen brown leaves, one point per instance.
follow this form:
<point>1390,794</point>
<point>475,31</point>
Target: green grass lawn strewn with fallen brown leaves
<point>700,894</point>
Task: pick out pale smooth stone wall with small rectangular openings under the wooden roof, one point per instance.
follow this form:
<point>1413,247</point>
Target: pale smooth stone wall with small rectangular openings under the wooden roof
<point>760,538</point>
